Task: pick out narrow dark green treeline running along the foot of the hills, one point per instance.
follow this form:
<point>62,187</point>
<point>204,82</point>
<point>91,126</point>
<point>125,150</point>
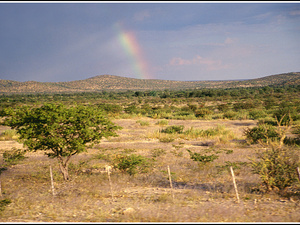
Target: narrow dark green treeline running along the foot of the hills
<point>195,93</point>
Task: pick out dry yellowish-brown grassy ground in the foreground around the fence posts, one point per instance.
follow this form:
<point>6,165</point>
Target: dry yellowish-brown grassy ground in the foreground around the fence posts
<point>201,193</point>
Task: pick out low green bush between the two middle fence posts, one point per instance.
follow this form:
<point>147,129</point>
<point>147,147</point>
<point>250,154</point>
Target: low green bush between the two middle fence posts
<point>131,164</point>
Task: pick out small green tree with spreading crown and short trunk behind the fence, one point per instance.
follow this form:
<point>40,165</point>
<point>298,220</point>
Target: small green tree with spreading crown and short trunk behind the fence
<point>59,130</point>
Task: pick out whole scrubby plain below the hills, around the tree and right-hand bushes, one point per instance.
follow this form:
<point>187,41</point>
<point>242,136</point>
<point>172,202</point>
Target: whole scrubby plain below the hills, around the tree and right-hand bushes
<point>210,124</point>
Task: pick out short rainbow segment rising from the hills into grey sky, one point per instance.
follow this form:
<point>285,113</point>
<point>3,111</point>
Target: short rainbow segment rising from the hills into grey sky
<point>131,46</point>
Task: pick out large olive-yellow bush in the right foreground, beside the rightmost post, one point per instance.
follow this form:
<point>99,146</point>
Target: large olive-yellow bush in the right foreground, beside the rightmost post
<point>276,168</point>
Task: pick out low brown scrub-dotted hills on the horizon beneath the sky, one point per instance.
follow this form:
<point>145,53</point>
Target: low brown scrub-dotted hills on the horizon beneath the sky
<point>117,83</point>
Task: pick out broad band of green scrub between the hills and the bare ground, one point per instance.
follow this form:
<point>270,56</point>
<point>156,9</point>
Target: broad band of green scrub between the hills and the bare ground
<point>265,103</point>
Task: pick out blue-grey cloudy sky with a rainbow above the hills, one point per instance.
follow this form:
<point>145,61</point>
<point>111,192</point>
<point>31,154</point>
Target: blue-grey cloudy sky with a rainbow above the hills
<point>184,41</point>
